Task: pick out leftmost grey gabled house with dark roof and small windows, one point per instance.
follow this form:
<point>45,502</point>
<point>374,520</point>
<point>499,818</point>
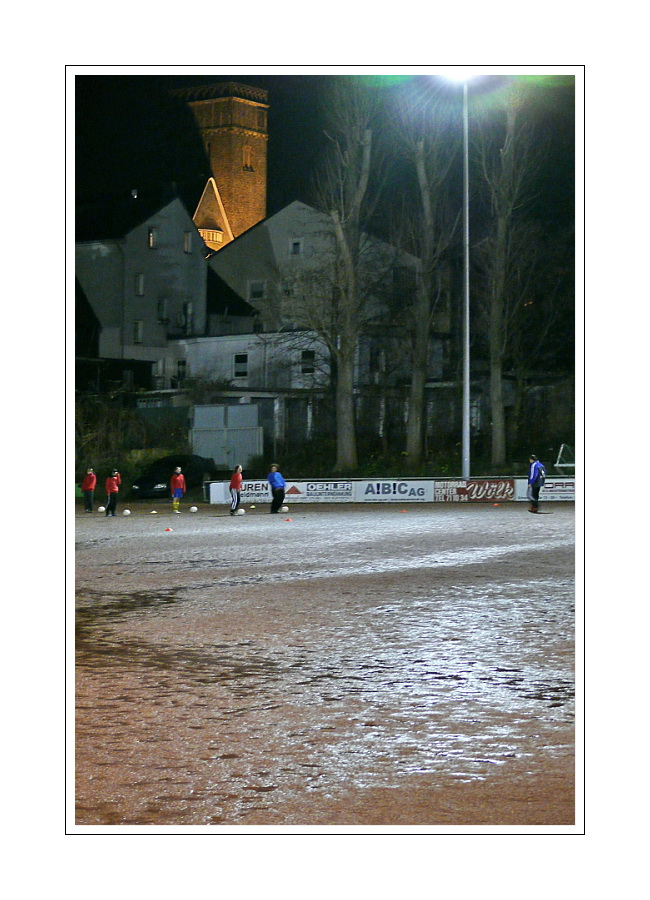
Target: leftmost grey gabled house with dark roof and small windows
<point>141,266</point>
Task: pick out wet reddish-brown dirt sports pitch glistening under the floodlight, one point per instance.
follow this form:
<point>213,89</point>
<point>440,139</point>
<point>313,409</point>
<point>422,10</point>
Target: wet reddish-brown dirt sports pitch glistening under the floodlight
<point>336,665</point>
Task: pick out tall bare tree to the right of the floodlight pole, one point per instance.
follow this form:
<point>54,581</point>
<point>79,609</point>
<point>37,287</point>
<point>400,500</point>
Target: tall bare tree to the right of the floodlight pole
<point>509,158</point>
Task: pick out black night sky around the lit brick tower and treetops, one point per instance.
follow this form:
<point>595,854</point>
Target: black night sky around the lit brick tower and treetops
<point>131,133</point>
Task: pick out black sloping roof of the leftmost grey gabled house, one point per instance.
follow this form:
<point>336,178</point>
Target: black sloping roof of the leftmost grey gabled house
<point>113,216</point>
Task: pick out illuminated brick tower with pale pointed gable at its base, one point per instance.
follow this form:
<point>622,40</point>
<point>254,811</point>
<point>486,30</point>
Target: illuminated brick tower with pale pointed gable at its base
<point>232,119</point>
